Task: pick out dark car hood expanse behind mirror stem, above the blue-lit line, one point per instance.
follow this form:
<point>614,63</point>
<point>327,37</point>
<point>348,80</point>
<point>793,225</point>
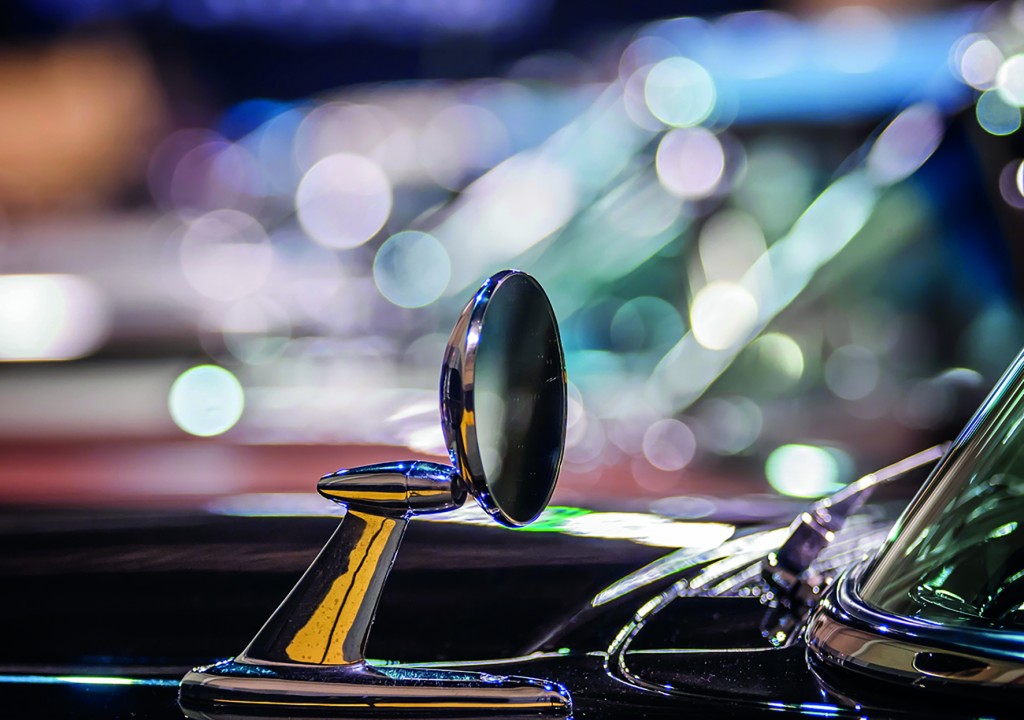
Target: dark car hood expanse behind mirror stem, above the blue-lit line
<point>170,590</point>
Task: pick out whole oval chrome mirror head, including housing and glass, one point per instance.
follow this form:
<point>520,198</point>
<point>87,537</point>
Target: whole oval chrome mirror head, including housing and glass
<point>504,396</point>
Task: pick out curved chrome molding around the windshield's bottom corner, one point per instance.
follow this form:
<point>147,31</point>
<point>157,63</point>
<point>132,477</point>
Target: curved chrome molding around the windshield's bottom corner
<point>845,632</point>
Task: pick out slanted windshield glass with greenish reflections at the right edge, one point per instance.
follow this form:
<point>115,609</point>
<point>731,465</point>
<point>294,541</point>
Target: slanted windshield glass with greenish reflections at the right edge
<point>957,557</point>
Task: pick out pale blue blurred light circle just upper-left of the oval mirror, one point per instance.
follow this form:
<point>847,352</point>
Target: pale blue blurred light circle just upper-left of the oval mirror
<point>412,270</point>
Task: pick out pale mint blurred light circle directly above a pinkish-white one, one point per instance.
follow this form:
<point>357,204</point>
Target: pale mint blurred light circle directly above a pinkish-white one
<point>680,93</point>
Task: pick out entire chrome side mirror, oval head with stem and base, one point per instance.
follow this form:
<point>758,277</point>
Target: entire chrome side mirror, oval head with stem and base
<point>503,397</point>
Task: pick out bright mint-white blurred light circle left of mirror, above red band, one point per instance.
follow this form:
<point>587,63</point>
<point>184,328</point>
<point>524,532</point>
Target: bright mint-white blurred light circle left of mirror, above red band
<point>206,401</point>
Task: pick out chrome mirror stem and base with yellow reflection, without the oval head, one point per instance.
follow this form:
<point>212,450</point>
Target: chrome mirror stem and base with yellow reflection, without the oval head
<point>310,656</point>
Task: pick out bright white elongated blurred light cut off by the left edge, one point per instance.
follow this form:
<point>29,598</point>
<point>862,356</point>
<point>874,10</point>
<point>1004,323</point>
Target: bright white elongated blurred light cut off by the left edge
<point>51,318</point>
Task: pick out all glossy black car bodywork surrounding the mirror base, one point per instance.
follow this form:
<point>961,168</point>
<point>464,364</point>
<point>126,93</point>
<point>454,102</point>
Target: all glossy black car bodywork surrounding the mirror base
<point>148,596</point>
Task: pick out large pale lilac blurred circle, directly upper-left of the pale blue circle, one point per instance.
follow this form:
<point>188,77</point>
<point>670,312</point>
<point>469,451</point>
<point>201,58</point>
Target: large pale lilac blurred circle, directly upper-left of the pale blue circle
<point>344,201</point>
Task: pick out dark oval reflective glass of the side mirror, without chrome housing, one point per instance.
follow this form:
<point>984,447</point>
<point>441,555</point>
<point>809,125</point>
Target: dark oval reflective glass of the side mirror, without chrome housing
<point>520,399</point>
